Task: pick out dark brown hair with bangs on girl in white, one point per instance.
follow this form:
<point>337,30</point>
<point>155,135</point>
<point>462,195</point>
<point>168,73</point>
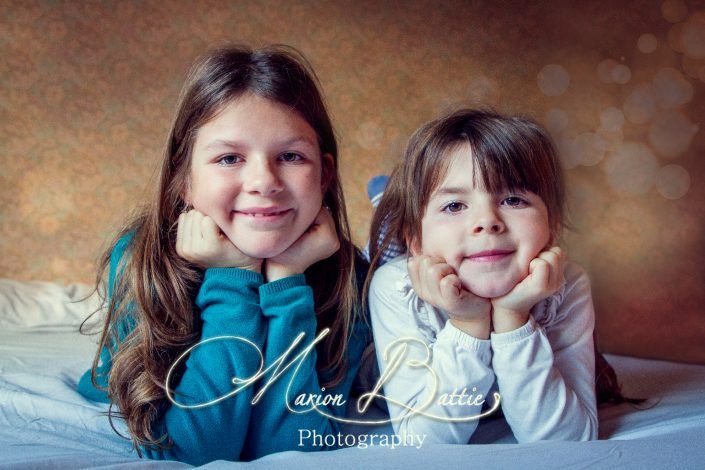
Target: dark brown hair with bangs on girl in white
<point>509,152</point>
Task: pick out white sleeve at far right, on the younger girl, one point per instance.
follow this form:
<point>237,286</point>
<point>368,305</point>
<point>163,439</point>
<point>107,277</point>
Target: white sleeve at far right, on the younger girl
<point>547,376</point>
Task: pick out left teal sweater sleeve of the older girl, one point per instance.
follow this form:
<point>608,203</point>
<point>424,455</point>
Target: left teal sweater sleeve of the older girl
<point>232,337</point>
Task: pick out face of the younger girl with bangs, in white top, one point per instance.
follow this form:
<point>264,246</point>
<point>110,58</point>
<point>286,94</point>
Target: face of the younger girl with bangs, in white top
<point>489,239</point>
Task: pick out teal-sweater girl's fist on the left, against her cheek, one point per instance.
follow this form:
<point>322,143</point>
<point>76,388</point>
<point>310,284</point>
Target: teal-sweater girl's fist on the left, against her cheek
<point>200,241</point>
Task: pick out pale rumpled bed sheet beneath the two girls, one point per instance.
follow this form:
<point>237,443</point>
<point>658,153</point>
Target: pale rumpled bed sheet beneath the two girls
<point>45,423</point>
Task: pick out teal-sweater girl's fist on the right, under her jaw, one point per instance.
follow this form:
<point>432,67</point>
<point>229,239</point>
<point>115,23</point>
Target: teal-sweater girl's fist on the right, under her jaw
<point>318,242</point>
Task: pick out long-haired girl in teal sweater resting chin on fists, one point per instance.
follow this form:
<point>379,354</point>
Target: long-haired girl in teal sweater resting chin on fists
<point>233,317</point>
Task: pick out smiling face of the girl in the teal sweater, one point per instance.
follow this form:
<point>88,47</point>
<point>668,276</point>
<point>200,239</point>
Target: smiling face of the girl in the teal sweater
<point>257,171</point>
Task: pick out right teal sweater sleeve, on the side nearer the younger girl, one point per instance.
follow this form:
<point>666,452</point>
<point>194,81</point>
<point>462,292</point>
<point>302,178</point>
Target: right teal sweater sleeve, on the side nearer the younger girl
<point>278,423</point>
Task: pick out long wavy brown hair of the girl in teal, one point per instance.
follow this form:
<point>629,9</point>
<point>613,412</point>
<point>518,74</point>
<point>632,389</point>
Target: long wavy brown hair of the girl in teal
<point>156,288</point>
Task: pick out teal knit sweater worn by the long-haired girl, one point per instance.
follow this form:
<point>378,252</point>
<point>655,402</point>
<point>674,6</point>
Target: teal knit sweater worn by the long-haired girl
<point>246,315</point>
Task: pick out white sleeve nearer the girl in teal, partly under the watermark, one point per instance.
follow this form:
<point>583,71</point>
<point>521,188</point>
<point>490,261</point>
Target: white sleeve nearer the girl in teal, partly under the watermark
<point>452,363</point>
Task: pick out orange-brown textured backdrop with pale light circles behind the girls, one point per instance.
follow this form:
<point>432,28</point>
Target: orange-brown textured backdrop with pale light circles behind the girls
<point>87,90</point>
